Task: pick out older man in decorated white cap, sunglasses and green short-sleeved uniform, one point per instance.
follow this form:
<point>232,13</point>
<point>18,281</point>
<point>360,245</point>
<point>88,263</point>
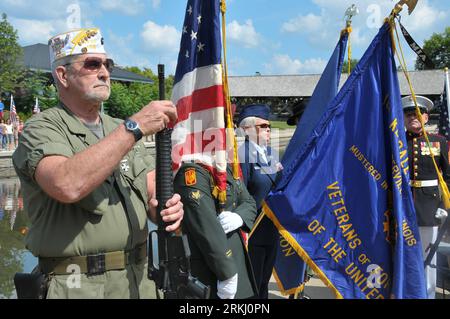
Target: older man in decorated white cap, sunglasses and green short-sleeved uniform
<point>87,180</point>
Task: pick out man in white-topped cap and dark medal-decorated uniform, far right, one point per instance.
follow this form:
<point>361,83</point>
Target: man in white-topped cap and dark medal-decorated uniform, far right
<point>424,179</point>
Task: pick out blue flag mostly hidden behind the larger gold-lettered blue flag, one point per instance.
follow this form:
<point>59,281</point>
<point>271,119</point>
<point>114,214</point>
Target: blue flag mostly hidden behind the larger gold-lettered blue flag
<point>289,269</point>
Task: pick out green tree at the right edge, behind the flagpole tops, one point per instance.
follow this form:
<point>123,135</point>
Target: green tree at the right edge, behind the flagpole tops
<point>437,48</point>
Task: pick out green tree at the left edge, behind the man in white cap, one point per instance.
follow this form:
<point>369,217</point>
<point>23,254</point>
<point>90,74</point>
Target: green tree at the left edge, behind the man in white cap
<point>10,52</point>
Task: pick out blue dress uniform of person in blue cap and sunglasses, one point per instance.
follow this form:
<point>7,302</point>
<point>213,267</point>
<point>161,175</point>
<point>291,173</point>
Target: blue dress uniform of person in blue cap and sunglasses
<point>259,177</point>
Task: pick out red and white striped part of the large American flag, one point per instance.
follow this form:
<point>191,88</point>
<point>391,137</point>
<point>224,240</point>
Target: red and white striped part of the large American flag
<point>199,133</point>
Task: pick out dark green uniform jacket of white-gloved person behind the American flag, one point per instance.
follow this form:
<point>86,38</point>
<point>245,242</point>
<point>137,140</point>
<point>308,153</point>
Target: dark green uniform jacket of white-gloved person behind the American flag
<point>214,254</point>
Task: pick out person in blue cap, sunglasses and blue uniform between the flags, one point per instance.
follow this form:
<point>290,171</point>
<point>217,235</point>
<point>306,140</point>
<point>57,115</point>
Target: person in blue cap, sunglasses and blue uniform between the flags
<point>259,170</point>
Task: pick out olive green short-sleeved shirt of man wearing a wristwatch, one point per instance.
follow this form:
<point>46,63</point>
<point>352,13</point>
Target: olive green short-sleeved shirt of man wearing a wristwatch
<point>113,217</point>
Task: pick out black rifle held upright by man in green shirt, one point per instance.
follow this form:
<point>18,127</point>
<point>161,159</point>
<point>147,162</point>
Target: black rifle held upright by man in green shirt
<point>172,273</point>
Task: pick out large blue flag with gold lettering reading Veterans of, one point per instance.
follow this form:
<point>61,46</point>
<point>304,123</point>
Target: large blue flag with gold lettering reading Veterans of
<point>346,205</point>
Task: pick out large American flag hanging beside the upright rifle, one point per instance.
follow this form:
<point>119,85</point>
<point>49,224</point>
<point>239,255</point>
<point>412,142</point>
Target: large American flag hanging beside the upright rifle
<point>199,133</point>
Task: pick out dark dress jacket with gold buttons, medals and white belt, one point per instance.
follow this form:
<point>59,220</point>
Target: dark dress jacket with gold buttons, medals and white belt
<point>427,199</point>
